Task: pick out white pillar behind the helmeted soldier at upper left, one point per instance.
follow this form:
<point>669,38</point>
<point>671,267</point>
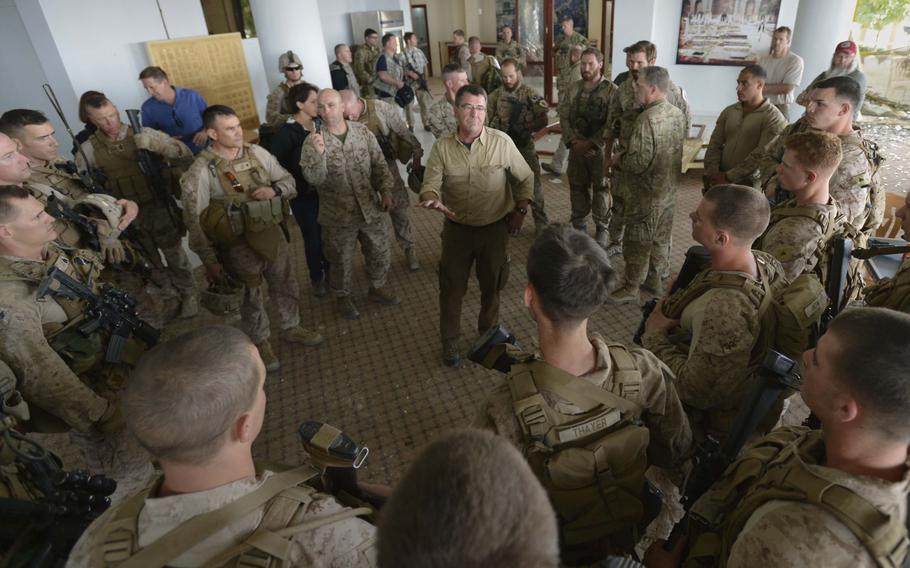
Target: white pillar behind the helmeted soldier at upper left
<point>295,25</point>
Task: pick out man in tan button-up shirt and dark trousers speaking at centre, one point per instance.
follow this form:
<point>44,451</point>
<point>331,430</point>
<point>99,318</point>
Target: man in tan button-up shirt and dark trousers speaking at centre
<point>465,179</point>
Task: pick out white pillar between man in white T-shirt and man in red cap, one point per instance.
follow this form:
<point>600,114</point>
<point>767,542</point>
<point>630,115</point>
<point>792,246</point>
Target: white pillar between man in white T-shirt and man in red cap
<point>820,26</point>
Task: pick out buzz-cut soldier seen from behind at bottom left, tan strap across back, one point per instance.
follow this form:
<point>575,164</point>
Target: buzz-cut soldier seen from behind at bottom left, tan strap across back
<point>197,403</point>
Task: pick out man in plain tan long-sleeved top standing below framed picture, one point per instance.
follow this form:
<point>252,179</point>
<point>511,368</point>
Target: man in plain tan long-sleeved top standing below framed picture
<point>742,131</point>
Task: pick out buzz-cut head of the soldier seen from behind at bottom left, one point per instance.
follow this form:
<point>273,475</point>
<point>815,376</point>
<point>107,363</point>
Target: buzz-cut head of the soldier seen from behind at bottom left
<point>197,403</point>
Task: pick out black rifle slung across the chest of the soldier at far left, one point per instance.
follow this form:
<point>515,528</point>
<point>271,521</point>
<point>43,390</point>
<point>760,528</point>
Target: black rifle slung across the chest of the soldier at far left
<point>110,309</point>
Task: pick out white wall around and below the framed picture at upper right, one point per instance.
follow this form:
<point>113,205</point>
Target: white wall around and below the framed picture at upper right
<point>710,88</point>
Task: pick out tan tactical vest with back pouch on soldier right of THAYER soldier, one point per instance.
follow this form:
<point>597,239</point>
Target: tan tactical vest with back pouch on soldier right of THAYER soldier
<point>788,315</point>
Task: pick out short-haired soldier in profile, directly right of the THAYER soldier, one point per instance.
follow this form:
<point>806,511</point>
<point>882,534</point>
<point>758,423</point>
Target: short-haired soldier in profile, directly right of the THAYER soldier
<point>710,344</point>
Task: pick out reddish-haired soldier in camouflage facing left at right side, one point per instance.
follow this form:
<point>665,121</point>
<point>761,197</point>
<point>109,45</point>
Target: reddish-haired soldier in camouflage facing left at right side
<point>798,225</point>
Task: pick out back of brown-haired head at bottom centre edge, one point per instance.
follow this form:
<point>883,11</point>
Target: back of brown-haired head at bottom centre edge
<point>469,500</point>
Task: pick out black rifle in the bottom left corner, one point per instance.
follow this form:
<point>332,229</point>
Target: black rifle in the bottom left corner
<point>41,532</point>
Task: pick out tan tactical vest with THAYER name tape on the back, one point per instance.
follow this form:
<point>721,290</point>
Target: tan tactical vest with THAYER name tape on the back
<point>592,464</point>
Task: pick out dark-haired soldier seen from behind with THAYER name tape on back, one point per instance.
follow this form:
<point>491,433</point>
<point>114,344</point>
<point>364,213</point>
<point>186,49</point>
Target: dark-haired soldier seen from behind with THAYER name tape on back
<point>586,406</point>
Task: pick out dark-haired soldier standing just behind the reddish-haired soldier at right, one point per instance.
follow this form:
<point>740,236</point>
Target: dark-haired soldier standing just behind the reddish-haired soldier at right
<point>855,185</point>
